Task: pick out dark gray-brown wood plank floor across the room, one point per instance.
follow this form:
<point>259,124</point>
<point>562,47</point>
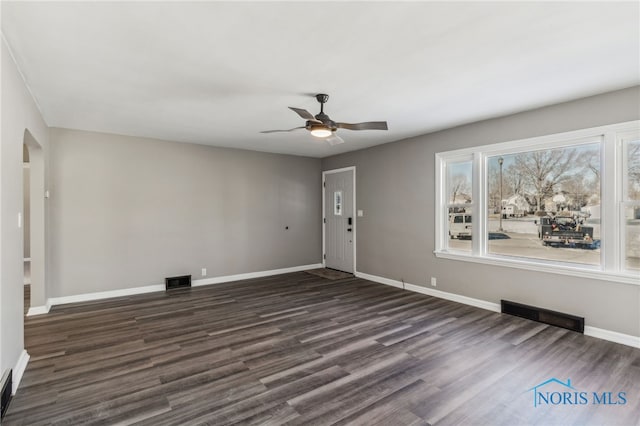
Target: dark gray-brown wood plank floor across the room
<point>303,350</point>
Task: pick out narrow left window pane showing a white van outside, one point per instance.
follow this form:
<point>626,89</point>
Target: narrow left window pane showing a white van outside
<point>459,205</point>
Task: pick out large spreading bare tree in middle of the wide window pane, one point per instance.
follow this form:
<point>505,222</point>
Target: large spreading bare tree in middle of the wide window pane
<point>545,169</point>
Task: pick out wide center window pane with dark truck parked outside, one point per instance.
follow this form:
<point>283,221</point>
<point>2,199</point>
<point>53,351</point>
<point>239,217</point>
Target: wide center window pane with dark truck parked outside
<point>545,204</point>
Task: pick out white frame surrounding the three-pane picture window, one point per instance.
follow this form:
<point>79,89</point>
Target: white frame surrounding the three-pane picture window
<point>612,262</point>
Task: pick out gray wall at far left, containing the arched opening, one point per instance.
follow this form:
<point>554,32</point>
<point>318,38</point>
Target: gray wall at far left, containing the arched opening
<point>21,123</point>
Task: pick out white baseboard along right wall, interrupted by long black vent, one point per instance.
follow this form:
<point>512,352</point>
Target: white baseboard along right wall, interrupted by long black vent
<point>612,336</point>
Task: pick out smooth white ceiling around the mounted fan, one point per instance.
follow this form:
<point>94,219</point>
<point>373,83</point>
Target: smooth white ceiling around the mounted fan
<point>218,73</point>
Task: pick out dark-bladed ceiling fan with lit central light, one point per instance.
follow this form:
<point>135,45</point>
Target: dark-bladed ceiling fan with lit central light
<point>322,126</point>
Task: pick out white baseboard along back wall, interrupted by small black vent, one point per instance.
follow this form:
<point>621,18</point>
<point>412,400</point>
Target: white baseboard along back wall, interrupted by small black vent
<point>160,287</point>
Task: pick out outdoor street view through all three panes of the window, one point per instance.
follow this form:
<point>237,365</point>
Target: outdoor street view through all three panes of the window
<point>545,204</point>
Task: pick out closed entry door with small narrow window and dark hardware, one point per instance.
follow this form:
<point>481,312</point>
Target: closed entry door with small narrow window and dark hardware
<point>339,220</point>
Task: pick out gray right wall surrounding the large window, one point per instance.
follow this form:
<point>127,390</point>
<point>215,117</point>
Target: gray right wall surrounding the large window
<point>396,240</point>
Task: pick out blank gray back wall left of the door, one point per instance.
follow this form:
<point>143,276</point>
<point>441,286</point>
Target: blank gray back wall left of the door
<point>127,212</point>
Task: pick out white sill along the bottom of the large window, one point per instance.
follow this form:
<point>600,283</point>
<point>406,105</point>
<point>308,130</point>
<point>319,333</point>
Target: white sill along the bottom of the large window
<point>584,271</point>
